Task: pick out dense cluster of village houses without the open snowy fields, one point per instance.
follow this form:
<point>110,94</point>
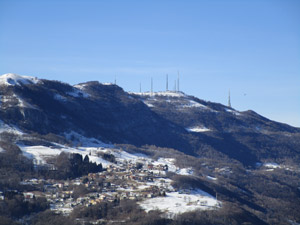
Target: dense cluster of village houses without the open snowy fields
<point>128,180</point>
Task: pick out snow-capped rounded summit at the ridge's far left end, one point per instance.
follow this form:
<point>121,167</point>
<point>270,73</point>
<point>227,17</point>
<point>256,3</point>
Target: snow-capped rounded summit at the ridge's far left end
<point>11,79</point>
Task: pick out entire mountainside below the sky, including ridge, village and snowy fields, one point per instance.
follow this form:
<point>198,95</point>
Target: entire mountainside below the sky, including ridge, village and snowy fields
<point>93,153</point>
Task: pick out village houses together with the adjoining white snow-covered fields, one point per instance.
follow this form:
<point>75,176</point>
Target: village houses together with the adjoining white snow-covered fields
<point>124,176</point>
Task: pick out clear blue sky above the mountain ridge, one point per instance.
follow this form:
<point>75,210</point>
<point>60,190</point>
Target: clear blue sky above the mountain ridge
<point>250,47</point>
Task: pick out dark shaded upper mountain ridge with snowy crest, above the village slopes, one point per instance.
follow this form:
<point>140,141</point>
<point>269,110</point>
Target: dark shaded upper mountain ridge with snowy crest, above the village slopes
<point>165,119</point>
